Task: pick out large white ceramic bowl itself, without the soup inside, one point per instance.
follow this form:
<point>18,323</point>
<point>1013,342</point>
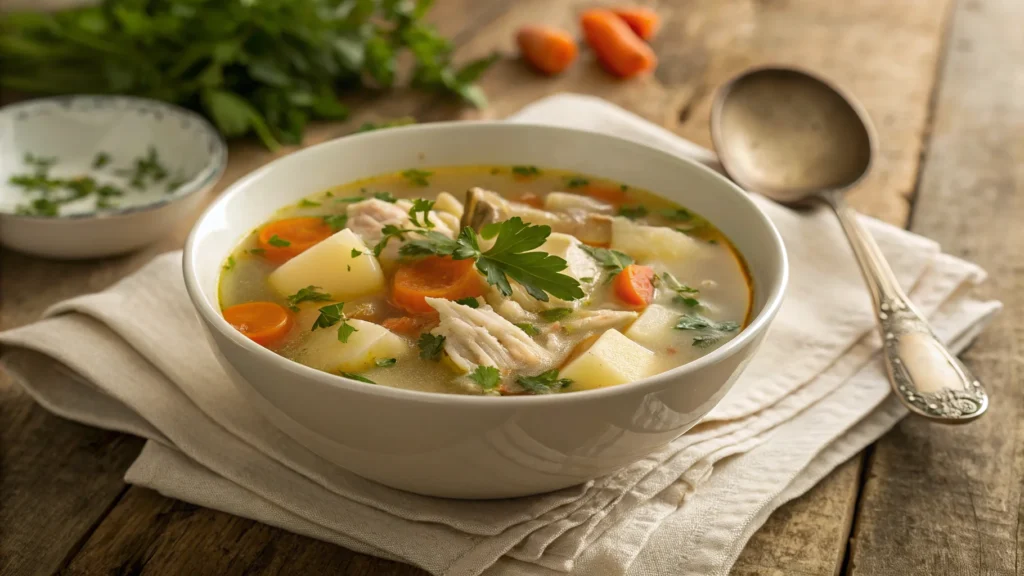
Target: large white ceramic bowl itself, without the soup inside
<point>465,446</point>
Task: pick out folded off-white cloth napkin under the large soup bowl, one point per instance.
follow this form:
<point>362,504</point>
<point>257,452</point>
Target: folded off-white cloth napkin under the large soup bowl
<point>132,359</point>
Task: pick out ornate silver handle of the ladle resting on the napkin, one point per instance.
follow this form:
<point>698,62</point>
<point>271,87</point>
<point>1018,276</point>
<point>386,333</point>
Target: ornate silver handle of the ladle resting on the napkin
<point>930,381</point>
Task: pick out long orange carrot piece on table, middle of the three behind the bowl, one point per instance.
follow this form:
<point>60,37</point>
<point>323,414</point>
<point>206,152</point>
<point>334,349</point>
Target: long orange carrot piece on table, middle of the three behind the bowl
<point>619,50</point>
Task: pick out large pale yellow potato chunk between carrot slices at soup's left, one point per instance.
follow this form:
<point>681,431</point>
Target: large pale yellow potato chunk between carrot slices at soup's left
<point>331,267</point>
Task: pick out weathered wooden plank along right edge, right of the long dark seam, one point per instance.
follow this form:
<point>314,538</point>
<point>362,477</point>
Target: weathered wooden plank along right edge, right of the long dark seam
<point>943,500</point>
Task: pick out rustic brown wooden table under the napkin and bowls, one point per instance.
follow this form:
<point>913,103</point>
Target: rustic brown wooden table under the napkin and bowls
<point>944,85</point>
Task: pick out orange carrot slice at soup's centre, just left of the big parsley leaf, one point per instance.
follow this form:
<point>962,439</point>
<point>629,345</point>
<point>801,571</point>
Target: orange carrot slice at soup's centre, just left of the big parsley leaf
<point>436,278</point>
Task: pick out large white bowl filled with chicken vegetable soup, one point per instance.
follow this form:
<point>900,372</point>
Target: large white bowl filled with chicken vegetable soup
<point>485,310</point>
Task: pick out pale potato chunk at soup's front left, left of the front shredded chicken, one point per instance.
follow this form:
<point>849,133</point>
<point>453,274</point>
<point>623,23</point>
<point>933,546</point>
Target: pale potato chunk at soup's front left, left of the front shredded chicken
<point>370,343</point>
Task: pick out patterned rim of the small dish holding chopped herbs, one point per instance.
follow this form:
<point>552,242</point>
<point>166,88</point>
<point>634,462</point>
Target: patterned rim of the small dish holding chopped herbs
<point>210,174</point>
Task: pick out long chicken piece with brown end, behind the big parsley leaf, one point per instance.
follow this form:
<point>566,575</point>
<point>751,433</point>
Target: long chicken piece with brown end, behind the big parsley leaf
<point>484,208</point>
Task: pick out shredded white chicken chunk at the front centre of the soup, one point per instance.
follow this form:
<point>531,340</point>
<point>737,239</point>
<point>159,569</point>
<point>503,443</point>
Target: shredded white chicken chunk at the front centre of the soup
<point>482,338</point>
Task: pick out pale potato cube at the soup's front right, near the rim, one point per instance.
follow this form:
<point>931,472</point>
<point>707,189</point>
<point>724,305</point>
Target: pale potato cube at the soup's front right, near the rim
<point>613,360</point>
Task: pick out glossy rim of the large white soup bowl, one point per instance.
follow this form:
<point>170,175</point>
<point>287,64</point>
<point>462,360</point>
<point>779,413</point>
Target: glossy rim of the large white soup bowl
<point>215,320</point>
